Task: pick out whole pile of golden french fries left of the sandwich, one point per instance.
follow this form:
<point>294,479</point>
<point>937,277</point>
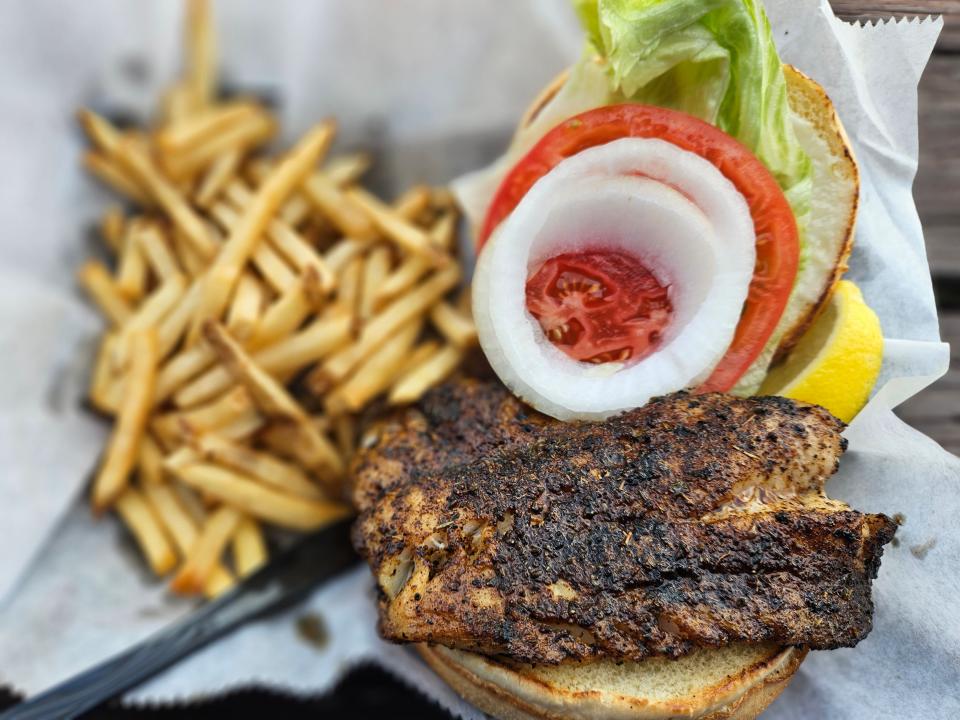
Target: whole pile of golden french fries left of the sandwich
<point>237,277</point>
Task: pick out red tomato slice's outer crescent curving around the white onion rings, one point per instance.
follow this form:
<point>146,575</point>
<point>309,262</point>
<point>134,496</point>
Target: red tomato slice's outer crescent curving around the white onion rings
<point>778,243</point>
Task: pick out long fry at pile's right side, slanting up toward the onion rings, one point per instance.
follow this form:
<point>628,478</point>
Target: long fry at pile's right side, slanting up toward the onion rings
<point>387,322</point>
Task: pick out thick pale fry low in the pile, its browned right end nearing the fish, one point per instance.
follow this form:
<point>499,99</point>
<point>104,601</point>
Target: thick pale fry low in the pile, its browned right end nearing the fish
<point>259,501</point>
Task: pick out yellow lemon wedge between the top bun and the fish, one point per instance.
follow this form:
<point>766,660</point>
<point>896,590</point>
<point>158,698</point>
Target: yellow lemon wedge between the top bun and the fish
<point>837,361</point>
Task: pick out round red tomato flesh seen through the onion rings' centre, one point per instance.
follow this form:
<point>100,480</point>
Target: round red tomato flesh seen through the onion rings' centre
<point>598,307</point>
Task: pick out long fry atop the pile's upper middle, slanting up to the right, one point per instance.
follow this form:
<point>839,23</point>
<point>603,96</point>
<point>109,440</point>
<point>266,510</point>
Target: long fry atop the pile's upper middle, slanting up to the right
<point>243,239</point>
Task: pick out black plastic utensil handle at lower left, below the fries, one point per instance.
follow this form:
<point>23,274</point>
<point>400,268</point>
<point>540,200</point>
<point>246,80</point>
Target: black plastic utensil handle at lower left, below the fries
<point>278,585</point>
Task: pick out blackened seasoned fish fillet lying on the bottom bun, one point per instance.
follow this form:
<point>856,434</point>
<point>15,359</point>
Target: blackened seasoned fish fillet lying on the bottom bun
<point>694,521</point>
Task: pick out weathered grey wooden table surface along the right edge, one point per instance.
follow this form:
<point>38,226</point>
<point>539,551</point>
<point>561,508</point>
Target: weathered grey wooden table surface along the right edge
<point>935,411</point>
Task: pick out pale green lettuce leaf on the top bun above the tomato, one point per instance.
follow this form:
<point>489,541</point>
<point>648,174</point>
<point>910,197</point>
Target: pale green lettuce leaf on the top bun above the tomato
<point>714,59</point>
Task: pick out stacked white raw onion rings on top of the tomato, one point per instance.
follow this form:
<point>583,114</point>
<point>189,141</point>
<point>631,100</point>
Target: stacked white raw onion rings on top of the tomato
<point>672,209</point>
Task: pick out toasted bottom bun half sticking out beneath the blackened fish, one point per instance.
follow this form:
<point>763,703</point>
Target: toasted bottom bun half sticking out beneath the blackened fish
<point>737,681</point>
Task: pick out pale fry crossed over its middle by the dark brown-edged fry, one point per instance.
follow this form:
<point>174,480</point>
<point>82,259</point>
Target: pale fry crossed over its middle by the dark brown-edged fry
<point>323,336</point>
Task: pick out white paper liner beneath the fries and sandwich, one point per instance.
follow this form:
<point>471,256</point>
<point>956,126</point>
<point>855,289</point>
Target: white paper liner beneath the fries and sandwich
<point>411,86</point>
